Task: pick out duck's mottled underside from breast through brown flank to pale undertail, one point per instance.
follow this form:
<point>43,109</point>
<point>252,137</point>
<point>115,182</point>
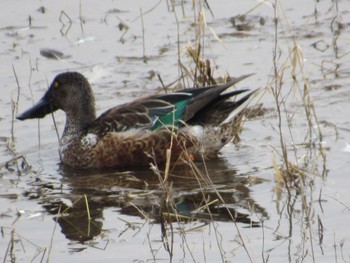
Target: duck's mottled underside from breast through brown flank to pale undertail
<point>125,150</point>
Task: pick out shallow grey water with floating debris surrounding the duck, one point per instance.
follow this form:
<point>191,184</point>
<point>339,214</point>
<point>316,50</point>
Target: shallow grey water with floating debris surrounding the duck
<point>121,52</point>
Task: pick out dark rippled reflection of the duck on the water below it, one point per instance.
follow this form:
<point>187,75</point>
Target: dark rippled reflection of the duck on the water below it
<point>223,197</point>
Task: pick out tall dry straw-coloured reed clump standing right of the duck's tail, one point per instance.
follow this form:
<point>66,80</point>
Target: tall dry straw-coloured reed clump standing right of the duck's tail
<point>290,176</point>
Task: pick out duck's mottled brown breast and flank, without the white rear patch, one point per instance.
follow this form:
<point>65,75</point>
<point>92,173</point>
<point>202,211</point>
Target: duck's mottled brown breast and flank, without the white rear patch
<point>119,150</point>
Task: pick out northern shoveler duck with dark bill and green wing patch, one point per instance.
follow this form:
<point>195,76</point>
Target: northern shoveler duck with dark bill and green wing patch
<point>196,122</point>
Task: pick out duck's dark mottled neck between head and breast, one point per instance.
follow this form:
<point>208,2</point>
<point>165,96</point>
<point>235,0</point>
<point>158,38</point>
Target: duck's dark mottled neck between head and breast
<point>77,120</point>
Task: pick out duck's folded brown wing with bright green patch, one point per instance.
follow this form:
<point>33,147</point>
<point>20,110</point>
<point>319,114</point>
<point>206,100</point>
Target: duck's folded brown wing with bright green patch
<point>161,110</point>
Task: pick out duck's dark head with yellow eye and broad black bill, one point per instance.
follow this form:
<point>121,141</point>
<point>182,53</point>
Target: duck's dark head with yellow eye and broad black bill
<point>70,92</point>
